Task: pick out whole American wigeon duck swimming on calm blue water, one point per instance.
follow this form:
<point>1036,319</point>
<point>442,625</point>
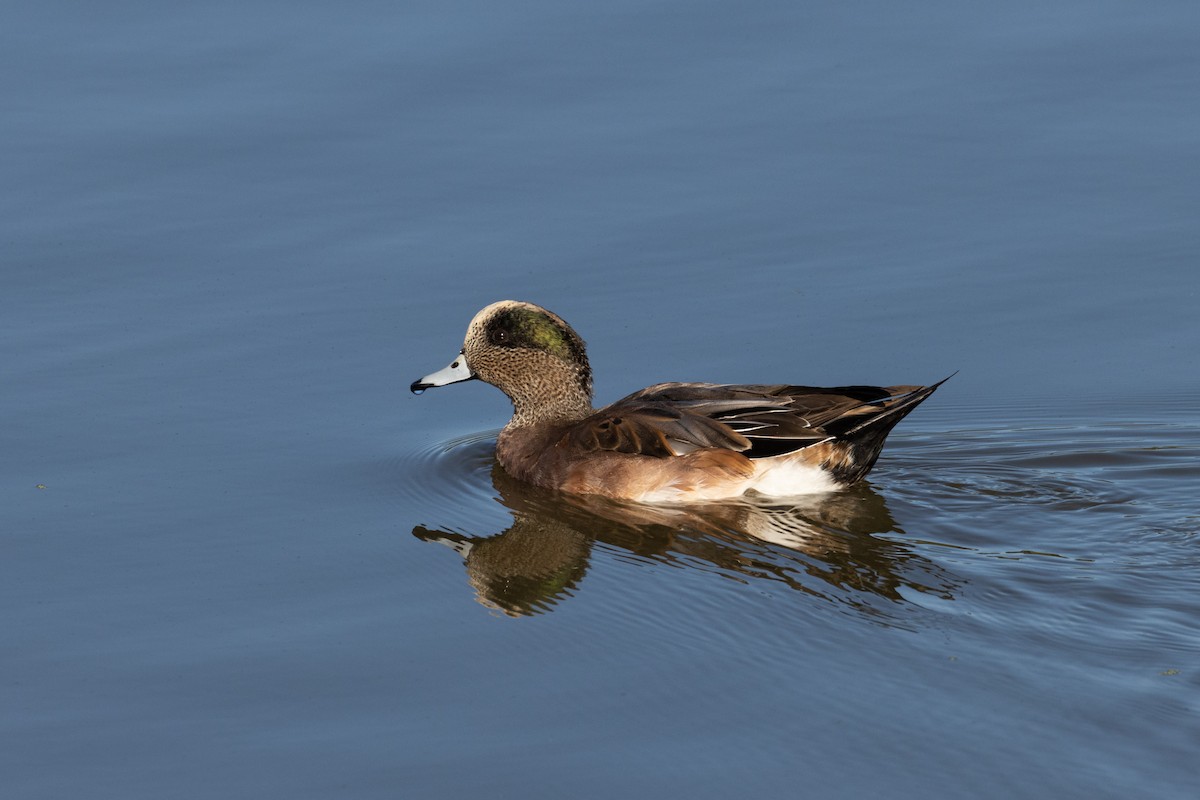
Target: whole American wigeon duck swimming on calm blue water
<point>669,443</point>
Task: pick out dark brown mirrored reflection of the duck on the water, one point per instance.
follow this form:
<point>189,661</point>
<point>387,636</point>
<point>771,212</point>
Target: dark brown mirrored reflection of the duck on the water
<point>823,546</point>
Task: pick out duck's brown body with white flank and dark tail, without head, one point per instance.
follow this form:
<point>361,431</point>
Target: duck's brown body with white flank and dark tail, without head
<point>700,442</point>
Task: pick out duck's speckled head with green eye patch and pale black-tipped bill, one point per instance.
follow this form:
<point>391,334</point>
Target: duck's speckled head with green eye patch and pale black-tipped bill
<point>529,353</point>
